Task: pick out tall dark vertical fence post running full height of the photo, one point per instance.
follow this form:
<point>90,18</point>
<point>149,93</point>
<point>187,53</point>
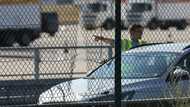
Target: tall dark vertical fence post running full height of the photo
<point>118,53</point>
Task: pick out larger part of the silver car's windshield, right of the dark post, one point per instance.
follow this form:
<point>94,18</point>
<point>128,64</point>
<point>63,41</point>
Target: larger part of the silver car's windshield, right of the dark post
<point>145,65</point>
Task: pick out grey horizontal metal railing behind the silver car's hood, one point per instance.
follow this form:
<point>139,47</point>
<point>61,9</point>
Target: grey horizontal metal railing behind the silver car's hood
<point>36,59</point>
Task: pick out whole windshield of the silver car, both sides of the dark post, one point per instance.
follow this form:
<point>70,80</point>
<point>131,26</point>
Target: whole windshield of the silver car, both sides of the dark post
<point>137,65</point>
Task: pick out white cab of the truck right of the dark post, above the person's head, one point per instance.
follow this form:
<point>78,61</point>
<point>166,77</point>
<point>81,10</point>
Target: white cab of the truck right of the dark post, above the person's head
<point>140,12</point>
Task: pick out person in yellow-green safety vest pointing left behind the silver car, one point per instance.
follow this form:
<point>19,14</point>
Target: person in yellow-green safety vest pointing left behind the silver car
<point>136,32</point>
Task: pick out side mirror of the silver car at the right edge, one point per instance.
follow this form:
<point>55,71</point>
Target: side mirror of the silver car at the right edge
<point>179,74</point>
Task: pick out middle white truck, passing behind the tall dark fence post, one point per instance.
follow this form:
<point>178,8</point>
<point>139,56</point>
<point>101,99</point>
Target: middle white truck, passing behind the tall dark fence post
<point>101,13</point>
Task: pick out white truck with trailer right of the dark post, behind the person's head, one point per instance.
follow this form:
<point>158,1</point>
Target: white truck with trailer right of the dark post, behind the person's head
<point>159,13</point>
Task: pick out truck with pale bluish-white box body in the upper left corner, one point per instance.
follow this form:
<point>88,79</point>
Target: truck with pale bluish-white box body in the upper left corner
<point>21,21</point>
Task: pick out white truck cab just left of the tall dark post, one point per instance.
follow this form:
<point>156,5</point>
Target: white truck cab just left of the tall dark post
<point>97,14</point>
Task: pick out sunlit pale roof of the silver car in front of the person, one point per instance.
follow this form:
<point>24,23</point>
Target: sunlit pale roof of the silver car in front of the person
<point>165,47</point>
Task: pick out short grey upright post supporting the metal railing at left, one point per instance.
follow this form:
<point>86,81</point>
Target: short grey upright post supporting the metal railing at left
<point>36,62</point>
